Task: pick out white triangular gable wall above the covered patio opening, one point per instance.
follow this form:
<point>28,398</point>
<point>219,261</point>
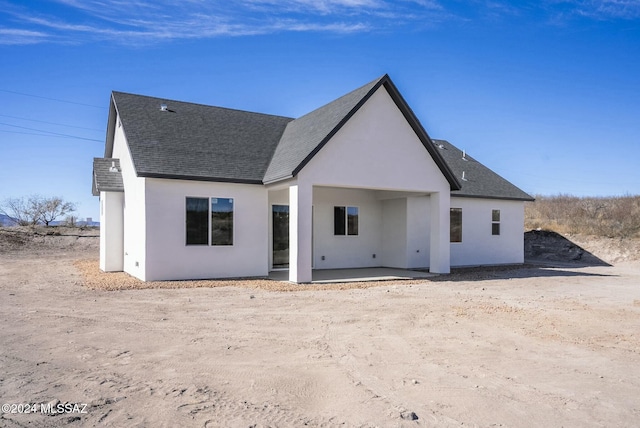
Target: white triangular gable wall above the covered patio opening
<point>375,149</point>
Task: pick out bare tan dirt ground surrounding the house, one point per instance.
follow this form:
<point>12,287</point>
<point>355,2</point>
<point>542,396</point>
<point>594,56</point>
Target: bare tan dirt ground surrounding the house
<point>531,346</point>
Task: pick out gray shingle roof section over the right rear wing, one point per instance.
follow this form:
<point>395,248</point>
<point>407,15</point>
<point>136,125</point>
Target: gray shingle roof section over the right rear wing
<point>480,181</point>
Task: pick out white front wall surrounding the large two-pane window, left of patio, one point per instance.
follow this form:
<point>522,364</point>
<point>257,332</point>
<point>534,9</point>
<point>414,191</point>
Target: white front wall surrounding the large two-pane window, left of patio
<point>168,256</point>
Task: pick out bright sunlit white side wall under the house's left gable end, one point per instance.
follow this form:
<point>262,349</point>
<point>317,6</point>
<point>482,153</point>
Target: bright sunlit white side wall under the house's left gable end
<point>134,243</point>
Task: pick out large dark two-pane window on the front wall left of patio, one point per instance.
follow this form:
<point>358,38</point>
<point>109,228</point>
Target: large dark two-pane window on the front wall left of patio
<point>209,217</point>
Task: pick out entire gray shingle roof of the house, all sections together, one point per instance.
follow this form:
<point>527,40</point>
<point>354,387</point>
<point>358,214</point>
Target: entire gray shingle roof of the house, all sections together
<point>199,142</point>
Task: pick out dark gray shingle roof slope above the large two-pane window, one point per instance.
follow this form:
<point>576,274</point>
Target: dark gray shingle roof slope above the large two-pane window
<point>197,142</point>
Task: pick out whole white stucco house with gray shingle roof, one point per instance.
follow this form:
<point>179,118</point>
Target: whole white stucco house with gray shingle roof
<point>190,191</point>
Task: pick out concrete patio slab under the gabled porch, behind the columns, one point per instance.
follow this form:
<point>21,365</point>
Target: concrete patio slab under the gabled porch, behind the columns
<point>356,275</point>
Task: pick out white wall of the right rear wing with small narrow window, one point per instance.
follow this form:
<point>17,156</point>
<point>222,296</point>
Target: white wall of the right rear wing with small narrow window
<point>479,246</point>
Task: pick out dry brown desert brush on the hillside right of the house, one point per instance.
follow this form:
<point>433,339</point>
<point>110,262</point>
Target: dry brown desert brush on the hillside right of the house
<point>610,216</point>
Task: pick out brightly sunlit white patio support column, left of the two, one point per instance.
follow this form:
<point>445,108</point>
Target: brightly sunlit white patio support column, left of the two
<point>300,212</point>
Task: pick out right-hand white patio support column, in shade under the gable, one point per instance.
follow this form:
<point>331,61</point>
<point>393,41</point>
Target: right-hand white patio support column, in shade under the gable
<point>440,253</point>
